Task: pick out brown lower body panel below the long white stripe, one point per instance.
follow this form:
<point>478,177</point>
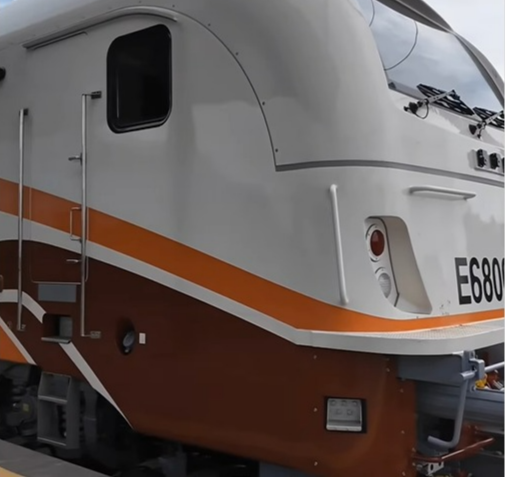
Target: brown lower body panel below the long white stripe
<point>210,379</point>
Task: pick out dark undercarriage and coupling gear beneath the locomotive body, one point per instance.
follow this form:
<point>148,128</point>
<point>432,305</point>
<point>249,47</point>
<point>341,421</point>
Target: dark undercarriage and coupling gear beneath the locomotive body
<point>460,416</point>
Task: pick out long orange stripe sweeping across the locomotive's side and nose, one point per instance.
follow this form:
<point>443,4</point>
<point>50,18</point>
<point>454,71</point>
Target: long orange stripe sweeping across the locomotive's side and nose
<point>287,306</point>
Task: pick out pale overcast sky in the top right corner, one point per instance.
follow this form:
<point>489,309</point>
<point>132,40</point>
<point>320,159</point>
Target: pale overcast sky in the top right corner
<point>481,22</point>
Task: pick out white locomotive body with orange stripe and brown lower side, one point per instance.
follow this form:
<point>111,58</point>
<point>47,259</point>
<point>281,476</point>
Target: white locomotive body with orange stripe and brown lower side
<point>287,204</point>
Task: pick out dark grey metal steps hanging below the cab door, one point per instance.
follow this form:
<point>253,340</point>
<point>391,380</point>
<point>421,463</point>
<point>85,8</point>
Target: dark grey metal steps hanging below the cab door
<point>59,411</point>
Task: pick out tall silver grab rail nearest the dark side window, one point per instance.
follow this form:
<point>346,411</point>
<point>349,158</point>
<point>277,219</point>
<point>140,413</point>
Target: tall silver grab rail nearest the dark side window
<point>83,158</point>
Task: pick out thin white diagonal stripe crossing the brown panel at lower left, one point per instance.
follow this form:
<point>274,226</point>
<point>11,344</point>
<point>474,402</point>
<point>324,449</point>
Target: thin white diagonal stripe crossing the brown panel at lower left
<point>10,296</point>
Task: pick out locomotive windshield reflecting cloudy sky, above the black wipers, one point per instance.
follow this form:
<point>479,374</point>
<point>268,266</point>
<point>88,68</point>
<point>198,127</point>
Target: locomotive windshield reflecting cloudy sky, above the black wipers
<point>413,53</point>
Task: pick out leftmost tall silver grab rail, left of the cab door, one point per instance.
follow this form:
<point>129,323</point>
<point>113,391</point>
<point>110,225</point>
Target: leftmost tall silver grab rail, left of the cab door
<point>22,115</point>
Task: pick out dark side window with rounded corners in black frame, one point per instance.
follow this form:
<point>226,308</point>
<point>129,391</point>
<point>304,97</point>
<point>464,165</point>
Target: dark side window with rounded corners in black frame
<point>138,79</point>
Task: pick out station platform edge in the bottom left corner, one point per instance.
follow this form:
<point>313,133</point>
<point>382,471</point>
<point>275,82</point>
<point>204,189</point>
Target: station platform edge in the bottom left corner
<point>16,461</point>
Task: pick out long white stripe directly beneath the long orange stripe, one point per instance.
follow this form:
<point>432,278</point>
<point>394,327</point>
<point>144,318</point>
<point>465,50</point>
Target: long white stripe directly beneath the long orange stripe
<point>421,342</point>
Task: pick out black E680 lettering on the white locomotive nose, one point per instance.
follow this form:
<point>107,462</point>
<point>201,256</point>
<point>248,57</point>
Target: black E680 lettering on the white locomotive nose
<point>480,280</point>
